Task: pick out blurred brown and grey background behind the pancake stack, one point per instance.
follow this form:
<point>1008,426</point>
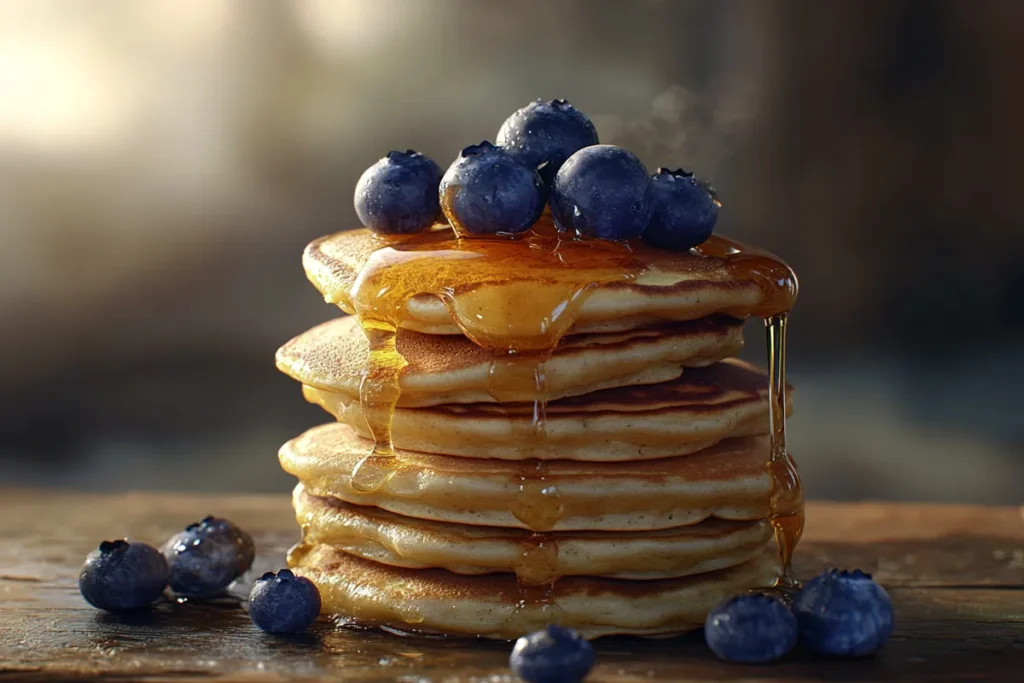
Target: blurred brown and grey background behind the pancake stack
<point>163,164</point>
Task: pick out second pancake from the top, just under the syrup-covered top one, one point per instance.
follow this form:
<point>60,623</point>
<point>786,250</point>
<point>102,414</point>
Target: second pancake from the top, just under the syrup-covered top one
<point>332,357</point>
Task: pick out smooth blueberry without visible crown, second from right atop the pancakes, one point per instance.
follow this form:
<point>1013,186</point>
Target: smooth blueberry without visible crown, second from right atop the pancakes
<point>604,192</point>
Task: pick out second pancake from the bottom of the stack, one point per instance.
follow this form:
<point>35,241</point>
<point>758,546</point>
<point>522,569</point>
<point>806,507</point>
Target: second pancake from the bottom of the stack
<point>383,537</point>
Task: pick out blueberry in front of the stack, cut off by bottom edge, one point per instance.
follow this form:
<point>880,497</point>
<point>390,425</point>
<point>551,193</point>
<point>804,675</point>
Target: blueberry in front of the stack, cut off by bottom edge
<point>552,656</point>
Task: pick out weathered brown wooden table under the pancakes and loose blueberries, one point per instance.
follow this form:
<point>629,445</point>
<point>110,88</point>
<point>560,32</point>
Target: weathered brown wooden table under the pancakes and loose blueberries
<point>956,574</point>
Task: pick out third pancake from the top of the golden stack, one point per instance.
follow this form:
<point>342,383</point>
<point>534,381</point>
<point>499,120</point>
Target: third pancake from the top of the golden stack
<point>703,407</point>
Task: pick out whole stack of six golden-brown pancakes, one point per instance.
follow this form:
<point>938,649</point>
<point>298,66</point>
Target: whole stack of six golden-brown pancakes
<point>641,501</point>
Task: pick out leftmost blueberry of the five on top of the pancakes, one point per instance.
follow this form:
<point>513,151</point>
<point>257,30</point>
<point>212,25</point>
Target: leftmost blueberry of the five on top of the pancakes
<point>399,194</point>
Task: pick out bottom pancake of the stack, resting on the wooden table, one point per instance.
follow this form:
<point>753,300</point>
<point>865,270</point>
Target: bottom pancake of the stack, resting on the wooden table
<point>436,602</point>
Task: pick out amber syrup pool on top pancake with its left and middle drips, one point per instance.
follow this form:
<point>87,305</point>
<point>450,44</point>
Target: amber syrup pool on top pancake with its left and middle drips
<point>517,298</point>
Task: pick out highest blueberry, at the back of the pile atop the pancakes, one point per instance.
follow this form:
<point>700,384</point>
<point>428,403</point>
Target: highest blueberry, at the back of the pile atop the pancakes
<point>543,136</point>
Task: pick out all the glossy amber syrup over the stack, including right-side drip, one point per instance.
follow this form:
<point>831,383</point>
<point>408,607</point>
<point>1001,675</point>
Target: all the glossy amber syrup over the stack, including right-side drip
<point>518,298</point>
